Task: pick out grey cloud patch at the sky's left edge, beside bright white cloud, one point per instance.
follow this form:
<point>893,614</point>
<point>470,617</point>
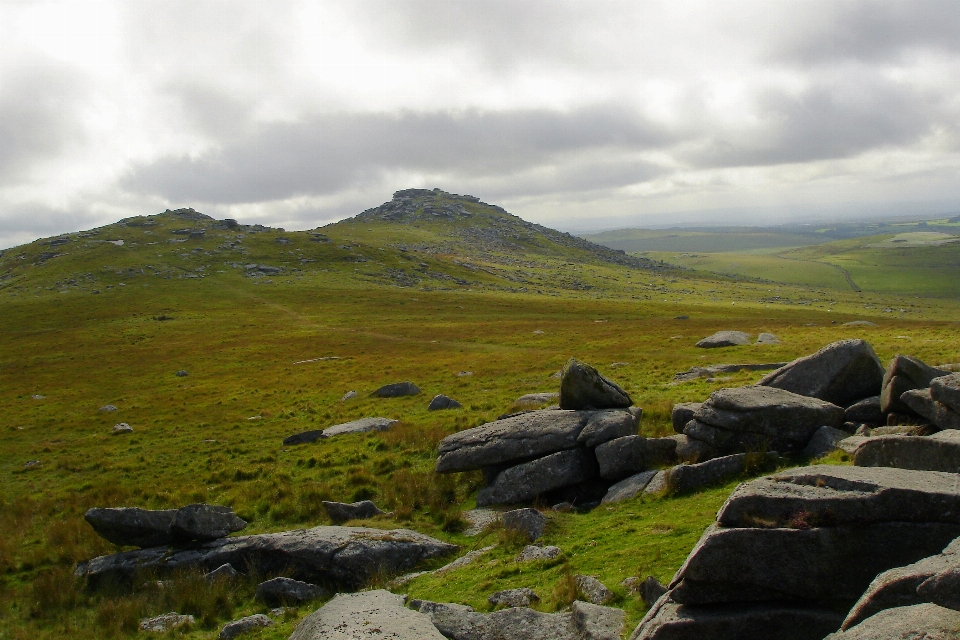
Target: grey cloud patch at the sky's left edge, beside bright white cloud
<point>38,115</point>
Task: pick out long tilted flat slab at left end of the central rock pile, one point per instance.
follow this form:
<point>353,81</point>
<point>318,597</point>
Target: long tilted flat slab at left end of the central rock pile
<point>515,439</point>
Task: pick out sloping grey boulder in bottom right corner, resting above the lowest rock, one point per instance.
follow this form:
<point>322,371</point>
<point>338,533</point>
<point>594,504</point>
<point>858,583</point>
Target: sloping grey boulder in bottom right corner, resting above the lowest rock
<point>900,586</point>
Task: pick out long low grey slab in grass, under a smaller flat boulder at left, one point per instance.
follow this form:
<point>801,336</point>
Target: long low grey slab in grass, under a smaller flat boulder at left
<point>341,556</point>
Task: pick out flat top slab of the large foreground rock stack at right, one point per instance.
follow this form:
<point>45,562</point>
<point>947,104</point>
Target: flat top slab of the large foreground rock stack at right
<point>842,495</point>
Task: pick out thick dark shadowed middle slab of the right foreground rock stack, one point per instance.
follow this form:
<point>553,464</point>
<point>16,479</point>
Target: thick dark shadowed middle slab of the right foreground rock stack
<point>811,564</point>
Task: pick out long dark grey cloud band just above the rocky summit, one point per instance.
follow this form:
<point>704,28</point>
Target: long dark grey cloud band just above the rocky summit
<point>327,154</point>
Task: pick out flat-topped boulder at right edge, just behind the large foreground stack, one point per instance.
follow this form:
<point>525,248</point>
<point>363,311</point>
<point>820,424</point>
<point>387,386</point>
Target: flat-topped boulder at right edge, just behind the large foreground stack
<point>939,452</point>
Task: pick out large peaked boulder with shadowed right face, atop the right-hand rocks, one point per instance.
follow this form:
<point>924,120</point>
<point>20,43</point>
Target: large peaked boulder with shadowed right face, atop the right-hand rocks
<point>842,373</point>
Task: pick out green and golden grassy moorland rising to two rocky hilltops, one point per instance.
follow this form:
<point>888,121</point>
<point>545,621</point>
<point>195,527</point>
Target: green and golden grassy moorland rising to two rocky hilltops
<point>272,328</point>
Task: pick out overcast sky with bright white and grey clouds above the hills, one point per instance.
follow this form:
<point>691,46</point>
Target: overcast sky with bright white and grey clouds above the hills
<point>581,116</point>
